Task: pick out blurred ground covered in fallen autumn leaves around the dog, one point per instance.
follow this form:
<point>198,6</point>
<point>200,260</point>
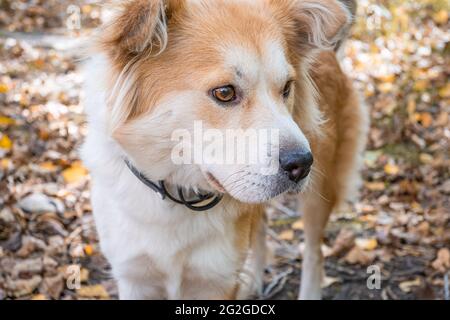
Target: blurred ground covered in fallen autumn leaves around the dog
<point>399,58</point>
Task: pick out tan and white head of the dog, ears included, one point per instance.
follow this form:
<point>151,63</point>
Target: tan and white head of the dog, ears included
<point>197,88</point>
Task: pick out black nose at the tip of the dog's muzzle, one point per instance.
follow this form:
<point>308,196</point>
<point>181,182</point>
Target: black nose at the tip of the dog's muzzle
<point>297,163</point>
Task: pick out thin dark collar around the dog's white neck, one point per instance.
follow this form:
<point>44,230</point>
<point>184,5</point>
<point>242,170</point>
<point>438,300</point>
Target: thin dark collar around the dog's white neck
<point>160,188</point>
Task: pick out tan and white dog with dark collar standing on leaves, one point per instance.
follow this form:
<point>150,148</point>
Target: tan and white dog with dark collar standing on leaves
<point>197,230</point>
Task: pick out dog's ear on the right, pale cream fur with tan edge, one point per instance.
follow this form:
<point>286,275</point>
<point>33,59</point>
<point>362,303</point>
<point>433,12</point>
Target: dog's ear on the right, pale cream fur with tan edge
<point>313,24</point>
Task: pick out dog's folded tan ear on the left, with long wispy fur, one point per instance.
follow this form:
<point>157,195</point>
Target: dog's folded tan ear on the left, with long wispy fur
<point>138,25</point>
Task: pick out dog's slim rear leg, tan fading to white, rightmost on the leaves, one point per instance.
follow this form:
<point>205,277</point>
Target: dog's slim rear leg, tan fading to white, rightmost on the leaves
<point>315,216</point>
